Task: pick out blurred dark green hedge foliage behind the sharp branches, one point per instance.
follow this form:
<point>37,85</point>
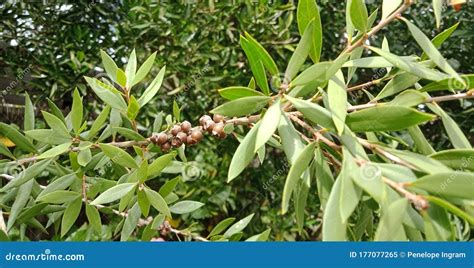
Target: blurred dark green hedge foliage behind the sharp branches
<point>46,49</point>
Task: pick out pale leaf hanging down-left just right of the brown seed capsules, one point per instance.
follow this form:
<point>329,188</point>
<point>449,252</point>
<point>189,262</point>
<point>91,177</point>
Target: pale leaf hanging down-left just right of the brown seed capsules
<point>244,153</point>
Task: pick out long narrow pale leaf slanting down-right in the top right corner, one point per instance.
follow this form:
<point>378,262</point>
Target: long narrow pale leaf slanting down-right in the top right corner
<point>431,50</point>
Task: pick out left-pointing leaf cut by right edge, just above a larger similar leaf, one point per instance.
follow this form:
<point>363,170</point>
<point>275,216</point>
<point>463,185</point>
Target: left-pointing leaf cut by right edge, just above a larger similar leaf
<point>456,158</point>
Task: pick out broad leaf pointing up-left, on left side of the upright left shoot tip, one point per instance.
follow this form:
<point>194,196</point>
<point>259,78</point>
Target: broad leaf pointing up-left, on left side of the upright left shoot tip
<point>107,94</point>
